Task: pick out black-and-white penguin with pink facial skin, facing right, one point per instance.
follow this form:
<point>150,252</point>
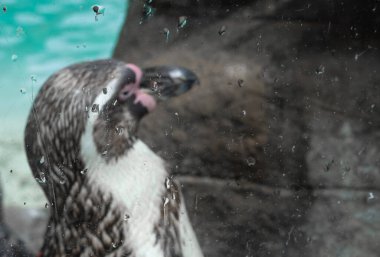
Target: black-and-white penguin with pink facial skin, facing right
<point>109,194</point>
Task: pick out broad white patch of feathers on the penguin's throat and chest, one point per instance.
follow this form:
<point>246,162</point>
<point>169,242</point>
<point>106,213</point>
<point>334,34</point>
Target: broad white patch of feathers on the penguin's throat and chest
<point>136,182</point>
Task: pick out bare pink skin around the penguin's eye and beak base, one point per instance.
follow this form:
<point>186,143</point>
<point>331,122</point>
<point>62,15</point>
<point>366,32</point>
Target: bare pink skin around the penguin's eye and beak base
<point>141,97</point>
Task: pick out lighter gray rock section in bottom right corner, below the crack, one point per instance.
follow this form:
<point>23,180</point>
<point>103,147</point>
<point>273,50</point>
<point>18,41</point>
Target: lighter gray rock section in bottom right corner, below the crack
<point>343,223</point>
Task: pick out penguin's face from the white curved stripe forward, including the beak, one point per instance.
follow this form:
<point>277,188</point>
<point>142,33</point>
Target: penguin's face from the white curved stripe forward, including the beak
<point>128,97</point>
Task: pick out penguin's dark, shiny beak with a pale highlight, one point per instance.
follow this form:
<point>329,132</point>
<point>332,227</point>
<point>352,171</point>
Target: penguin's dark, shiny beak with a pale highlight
<point>164,82</point>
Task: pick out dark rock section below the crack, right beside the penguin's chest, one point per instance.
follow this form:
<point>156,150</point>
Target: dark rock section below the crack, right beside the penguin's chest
<point>245,219</point>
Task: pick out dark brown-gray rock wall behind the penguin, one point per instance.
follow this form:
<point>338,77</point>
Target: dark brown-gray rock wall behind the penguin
<point>278,148</point>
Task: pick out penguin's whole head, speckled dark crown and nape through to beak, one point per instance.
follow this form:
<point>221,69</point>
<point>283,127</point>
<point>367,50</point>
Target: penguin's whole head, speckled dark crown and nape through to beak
<point>93,109</point>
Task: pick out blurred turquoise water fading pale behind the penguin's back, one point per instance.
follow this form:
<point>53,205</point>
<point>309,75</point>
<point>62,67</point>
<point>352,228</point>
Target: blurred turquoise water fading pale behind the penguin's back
<point>38,37</point>
